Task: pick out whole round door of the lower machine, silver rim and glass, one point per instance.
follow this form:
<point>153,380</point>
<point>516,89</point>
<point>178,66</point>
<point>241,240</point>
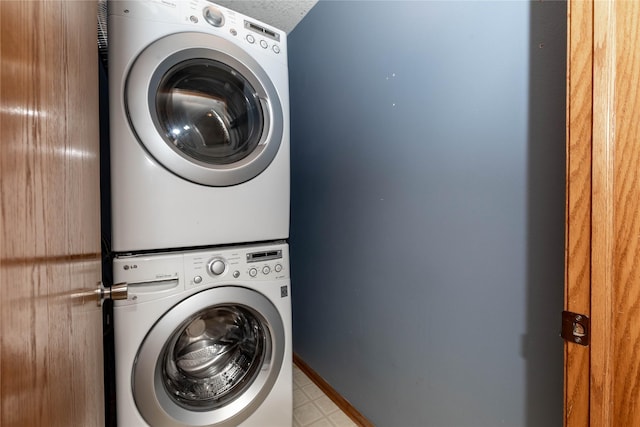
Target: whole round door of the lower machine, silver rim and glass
<point>209,361</point>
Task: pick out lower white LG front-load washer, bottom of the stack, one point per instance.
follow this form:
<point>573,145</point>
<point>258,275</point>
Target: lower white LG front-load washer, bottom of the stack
<point>204,338</point>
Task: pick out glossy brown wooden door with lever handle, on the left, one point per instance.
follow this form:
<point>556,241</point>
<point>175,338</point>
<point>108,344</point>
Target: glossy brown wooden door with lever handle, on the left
<point>50,334</point>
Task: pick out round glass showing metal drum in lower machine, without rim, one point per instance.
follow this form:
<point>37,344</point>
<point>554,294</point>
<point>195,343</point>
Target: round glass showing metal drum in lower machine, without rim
<point>213,356</point>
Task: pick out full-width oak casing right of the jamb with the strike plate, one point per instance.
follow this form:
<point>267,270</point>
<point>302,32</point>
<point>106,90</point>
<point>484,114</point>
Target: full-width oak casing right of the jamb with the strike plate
<point>615,367</point>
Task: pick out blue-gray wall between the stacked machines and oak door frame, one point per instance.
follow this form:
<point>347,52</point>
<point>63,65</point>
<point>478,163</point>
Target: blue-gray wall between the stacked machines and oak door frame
<point>428,208</point>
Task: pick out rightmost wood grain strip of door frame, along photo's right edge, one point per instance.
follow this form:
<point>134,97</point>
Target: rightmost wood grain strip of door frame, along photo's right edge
<point>625,294</point>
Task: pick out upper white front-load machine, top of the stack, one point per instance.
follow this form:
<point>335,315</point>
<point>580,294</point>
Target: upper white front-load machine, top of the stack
<point>199,126</point>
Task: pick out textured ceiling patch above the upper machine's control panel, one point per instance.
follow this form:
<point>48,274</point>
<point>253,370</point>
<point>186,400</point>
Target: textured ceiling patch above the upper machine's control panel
<point>282,14</point>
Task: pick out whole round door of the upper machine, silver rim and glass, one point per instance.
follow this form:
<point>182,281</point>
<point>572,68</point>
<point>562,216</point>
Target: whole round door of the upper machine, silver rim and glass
<point>204,109</point>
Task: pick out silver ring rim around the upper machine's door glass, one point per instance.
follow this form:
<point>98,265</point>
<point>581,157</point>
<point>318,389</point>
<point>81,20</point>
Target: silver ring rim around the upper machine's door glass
<point>139,103</point>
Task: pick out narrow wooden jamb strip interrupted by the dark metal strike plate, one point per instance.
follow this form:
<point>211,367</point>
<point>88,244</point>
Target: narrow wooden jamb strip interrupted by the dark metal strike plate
<point>578,209</point>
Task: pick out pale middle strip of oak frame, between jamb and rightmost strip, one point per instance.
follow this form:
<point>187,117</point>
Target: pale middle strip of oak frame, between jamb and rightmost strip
<point>603,205</point>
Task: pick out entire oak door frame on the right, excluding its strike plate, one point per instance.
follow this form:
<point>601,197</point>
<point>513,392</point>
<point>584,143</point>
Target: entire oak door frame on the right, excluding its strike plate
<point>602,381</point>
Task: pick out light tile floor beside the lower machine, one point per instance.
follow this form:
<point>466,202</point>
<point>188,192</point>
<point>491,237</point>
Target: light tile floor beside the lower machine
<point>312,408</point>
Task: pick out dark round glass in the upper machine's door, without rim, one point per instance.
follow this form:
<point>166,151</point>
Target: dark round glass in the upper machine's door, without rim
<point>209,112</point>
